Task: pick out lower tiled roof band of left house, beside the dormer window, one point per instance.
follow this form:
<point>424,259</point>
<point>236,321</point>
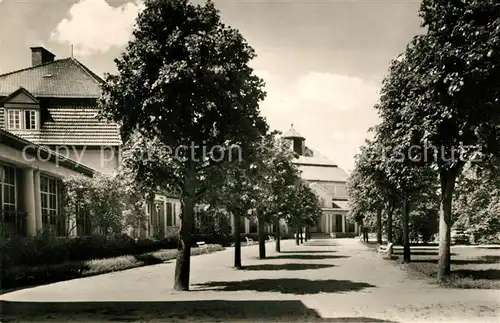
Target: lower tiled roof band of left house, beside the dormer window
<point>74,126</point>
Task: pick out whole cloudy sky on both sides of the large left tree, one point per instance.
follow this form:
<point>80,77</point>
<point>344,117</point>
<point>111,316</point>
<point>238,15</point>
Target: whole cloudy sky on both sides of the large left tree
<point>323,61</point>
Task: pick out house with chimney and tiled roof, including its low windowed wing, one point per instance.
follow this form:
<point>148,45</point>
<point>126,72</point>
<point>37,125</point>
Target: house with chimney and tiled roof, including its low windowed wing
<point>48,113</point>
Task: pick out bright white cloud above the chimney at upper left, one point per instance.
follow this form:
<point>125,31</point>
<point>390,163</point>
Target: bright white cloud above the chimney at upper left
<point>93,26</point>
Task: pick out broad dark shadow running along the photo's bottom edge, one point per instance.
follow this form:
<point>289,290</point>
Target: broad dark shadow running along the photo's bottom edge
<point>171,311</point>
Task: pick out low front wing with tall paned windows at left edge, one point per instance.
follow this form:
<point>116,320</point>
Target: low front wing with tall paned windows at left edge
<point>31,187</point>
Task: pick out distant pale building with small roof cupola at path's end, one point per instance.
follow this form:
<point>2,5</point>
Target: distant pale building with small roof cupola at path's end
<point>327,180</point>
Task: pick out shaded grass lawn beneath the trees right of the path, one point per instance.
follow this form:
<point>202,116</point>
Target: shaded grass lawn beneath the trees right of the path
<point>471,267</point>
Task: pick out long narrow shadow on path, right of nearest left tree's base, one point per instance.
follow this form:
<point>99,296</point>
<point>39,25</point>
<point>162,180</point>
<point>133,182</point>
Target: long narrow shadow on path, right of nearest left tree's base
<point>288,286</point>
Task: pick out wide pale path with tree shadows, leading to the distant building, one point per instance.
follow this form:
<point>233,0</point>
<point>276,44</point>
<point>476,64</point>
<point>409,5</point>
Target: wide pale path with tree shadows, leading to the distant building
<point>335,280</point>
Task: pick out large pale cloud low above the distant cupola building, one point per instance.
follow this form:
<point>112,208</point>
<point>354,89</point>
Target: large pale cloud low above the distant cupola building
<point>333,112</point>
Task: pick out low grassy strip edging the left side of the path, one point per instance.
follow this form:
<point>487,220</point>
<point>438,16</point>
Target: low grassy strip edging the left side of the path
<point>17,277</point>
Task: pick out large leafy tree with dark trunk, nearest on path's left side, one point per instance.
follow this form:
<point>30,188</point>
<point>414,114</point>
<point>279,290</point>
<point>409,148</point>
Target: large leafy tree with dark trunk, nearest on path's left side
<point>184,89</point>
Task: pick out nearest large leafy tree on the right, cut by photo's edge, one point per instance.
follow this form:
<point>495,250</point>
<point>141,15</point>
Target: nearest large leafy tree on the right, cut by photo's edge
<point>451,105</point>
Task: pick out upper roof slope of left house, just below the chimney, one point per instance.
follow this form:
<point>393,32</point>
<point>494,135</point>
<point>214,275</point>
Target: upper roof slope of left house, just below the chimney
<point>63,78</point>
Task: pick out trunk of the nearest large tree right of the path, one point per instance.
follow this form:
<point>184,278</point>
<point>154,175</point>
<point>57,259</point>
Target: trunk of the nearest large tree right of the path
<point>447,178</point>
